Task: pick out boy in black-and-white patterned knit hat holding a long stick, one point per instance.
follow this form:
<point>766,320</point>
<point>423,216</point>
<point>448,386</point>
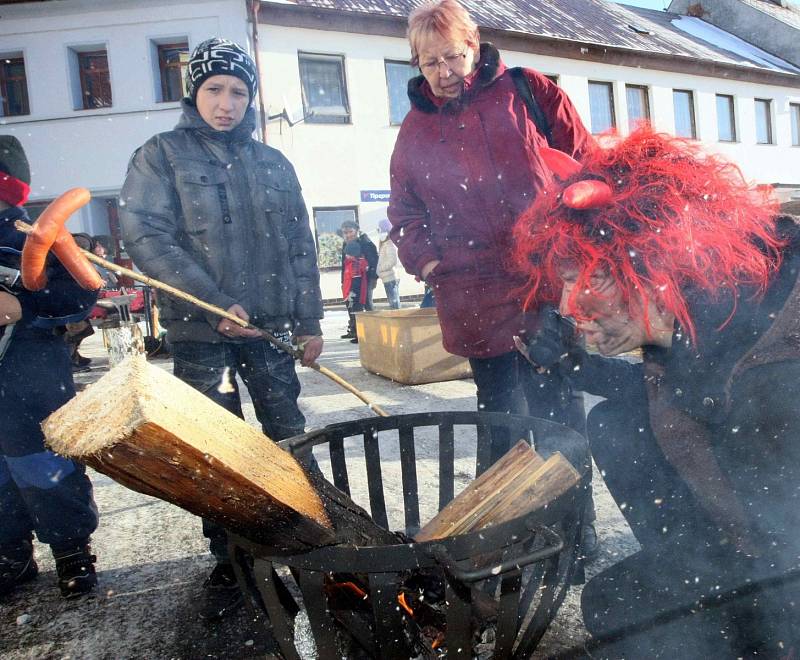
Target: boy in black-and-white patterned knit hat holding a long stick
<point>210,210</point>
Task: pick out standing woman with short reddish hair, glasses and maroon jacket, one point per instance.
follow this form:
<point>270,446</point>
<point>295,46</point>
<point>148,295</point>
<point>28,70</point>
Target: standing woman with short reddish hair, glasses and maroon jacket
<point>466,163</point>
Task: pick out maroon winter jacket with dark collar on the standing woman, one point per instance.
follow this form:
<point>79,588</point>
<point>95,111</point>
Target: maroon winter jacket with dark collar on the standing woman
<point>461,172</point>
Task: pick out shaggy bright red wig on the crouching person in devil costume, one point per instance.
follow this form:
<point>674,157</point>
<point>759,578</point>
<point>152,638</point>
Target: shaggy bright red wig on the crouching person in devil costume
<point>677,218</point>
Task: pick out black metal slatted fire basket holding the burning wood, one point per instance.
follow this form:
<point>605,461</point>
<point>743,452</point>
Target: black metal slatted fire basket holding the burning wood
<point>523,567</point>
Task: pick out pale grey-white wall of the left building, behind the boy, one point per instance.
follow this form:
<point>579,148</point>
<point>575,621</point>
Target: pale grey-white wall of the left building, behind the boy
<point>91,148</point>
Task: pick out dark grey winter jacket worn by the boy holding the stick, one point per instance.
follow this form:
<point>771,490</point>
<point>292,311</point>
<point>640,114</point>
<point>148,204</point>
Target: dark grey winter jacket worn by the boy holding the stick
<point>221,216</point>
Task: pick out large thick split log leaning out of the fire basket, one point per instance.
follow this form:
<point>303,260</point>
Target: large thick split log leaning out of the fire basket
<point>151,432</point>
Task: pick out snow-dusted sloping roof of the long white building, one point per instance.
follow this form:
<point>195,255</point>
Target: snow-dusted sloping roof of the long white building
<point>595,22</point>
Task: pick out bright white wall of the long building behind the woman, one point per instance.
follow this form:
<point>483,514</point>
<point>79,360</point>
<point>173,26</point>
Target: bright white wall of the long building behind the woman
<point>337,161</point>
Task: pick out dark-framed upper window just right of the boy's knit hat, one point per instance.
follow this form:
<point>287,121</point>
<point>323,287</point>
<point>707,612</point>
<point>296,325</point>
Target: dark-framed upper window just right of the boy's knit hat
<point>324,88</point>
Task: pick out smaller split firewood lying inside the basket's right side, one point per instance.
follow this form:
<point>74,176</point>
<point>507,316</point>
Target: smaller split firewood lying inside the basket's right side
<point>521,481</point>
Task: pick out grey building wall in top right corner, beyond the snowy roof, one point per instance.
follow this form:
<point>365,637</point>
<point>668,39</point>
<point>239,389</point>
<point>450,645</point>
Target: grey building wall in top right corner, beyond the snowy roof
<point>747,23</point>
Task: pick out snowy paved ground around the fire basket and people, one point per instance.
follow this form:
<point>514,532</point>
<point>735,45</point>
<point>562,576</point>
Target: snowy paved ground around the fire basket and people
<point>152,557</point>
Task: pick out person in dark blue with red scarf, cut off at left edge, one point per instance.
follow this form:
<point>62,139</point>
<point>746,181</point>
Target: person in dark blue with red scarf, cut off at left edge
<point>40,492</point>
